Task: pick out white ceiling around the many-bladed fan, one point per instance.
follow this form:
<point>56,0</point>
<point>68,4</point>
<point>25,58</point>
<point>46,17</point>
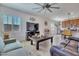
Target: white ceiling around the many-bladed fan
<point>59,14</point>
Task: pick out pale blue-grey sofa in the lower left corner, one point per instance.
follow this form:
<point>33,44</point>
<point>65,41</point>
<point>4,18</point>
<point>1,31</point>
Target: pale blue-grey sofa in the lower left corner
<point>11,49</point>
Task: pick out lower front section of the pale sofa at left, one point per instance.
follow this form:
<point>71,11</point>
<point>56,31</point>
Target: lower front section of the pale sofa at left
<point>17,52</point>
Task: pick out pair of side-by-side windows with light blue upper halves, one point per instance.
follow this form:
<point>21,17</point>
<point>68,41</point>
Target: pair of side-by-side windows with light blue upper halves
<point>11,23</point>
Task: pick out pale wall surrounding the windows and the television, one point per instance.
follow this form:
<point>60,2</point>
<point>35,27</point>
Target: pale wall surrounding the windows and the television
<point>21,34</point>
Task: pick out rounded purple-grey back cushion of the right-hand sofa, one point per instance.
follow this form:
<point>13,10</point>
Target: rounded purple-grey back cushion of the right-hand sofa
<point>59,51</point>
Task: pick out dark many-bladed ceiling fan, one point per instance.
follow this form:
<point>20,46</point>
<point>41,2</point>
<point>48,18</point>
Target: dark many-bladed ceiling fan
<point>48,6</point>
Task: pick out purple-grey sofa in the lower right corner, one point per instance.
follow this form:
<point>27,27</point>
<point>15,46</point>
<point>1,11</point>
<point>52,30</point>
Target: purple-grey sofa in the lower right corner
<point>61,50</point>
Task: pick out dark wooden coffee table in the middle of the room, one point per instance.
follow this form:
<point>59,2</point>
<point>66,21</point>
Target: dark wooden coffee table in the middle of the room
<point>41,40</point>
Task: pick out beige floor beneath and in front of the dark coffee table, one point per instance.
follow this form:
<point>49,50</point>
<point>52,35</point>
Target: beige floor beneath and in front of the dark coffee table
<point>44,49</point>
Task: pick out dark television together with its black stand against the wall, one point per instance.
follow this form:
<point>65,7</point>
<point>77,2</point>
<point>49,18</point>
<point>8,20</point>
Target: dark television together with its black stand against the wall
<point>31,29</point>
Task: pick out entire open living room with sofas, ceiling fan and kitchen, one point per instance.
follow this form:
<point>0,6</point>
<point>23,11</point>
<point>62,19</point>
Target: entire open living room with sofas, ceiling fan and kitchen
<point>37,29</point>
